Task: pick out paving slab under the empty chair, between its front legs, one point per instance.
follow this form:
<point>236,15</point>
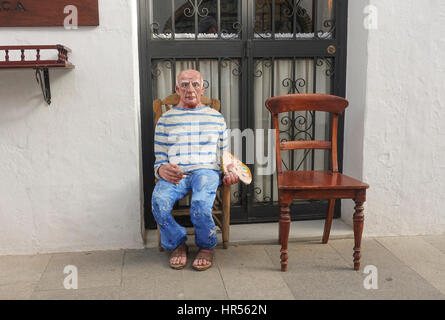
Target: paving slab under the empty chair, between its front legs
<point>316,271</point>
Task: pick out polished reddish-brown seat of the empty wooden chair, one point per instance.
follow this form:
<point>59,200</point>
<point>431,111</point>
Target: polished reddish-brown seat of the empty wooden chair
<point>321,180</point>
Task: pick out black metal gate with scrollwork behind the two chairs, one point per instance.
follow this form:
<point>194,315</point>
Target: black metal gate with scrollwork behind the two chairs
<point>247,50</point>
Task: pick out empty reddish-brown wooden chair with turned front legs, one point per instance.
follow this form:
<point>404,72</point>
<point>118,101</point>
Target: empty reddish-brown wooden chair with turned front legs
<point>315,184</point>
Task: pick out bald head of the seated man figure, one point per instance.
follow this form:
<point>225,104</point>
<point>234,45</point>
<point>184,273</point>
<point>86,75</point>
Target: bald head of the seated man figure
<point>190,89</point>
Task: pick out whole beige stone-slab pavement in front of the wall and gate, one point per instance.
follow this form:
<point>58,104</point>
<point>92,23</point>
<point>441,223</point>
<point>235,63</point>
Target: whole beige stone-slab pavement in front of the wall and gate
<point>408,268</point>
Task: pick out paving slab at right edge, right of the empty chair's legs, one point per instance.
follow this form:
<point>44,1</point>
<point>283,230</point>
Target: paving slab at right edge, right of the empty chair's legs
<point>419,255</point>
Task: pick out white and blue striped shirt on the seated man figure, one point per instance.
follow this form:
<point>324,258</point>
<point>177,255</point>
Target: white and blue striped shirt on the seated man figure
<point>191,138</point>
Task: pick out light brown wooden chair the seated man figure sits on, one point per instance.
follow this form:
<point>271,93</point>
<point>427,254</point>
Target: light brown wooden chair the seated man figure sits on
<point>221,207</point>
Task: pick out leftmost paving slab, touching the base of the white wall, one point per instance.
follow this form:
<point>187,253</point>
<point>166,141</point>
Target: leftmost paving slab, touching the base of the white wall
<point>15,269</point>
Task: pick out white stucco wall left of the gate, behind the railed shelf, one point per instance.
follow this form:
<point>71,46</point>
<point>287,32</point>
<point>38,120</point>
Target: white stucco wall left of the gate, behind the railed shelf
<point>70,173</point>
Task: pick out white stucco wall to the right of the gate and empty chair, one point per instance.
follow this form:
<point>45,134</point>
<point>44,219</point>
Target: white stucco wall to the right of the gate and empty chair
<point>404,132</point>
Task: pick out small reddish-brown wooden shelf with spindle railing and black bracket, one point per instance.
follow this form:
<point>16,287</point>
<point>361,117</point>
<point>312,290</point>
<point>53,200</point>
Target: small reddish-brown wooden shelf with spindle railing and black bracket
<point>36,63</point>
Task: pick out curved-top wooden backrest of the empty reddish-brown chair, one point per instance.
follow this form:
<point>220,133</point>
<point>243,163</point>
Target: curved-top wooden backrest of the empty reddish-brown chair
<point>307,102</point>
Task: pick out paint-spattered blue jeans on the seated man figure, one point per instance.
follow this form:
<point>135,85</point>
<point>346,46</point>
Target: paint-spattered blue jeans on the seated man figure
<point>203,183</point>
